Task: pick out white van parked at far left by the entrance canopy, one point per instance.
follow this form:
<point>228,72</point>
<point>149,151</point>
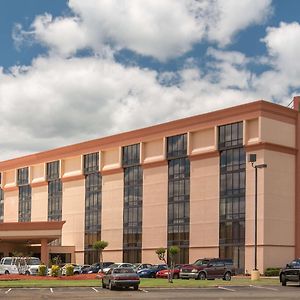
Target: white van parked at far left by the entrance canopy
<point>19,265</point>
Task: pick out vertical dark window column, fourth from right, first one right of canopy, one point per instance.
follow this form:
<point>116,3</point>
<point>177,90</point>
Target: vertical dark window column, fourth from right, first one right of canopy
<point>93,193</point>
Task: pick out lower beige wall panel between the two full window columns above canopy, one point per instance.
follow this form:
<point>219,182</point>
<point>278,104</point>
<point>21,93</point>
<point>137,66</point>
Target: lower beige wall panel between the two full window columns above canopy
<point>39,203</point>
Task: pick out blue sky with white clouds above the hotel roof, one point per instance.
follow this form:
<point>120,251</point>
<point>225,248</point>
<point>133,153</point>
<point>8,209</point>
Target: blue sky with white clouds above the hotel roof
<point>75,70</point>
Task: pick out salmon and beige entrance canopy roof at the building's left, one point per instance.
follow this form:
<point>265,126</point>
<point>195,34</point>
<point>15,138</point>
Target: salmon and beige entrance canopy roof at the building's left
<point>30,232</point>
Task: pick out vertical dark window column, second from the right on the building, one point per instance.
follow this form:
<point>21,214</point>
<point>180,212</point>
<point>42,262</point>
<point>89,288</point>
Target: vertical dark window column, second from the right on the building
<point>178,196</point>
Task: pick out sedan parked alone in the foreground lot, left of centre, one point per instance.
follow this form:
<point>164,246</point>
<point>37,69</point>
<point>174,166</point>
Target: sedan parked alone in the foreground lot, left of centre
<point>121,277</point>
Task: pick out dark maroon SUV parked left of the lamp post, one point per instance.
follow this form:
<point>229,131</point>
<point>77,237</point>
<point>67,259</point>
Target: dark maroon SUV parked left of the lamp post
<point>208,269</point>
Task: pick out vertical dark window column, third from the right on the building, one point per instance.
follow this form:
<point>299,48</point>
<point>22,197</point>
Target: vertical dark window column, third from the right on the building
<point>133,204</point>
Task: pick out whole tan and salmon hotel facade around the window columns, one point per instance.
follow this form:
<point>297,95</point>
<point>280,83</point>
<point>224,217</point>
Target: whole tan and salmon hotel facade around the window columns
<point>269,131</point>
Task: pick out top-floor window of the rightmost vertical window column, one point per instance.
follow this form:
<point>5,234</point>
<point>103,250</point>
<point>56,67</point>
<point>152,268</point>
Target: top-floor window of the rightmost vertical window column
<point>231,135</point>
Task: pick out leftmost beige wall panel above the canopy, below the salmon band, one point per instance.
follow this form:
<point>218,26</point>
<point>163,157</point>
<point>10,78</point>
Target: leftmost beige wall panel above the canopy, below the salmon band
<point>11,206</point>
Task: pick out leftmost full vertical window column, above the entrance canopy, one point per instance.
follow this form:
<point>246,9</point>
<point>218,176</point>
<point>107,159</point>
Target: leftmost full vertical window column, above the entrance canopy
<point>24,195</point>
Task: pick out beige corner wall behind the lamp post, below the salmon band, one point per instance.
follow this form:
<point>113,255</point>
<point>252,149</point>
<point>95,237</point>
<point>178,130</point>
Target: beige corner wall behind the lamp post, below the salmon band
<point>276,210</point>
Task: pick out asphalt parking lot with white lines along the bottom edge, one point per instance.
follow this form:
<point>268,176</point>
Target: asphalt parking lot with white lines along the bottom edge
<point>218,292</point>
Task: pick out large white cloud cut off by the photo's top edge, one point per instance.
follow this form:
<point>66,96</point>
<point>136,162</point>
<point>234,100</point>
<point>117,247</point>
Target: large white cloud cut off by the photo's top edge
<point>161,29</point>
